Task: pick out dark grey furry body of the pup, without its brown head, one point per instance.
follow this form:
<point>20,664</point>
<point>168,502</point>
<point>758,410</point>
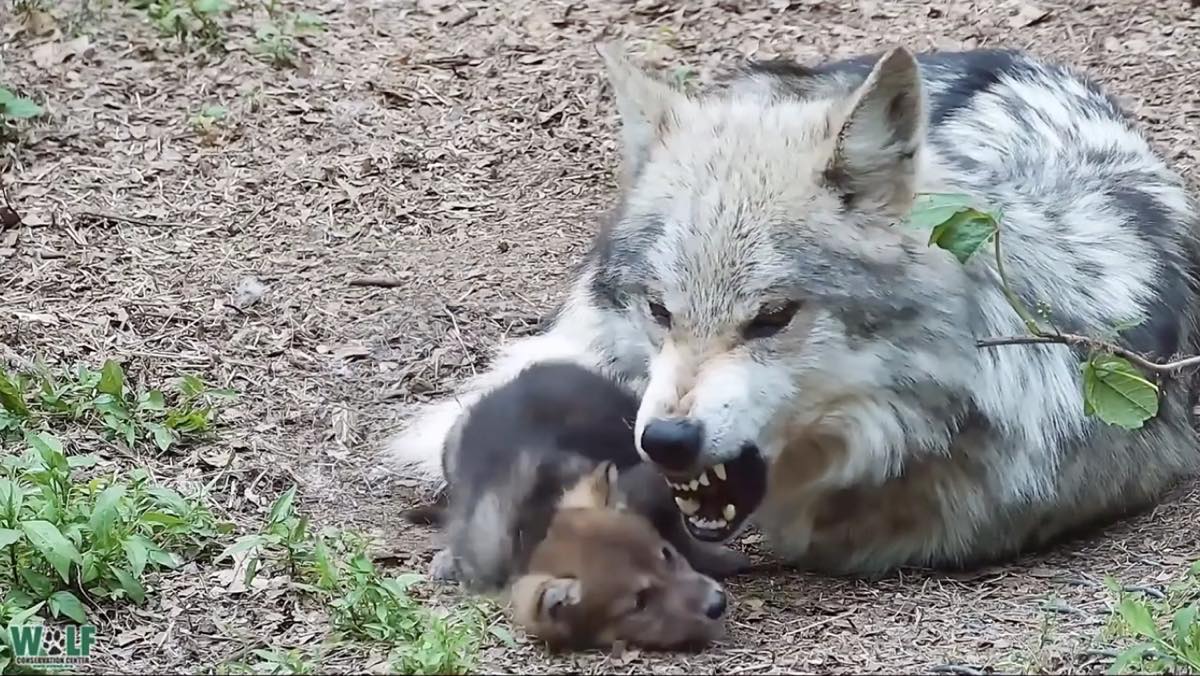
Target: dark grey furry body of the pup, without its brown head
<point>512,459</point>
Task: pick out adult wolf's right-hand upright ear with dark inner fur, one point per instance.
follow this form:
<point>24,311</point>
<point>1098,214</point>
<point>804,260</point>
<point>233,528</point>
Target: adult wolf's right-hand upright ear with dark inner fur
<point>873,161</point>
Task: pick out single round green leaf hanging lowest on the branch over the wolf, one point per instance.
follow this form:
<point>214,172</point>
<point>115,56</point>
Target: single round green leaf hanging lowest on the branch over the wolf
<point>1115,393</point>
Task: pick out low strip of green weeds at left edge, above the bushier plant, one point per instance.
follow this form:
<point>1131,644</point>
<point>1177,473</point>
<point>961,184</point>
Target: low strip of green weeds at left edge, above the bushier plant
<point>167,417</point>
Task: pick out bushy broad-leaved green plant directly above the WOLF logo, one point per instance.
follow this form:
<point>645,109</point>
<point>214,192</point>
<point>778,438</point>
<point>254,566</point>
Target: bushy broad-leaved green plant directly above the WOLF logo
<point>65,539</point>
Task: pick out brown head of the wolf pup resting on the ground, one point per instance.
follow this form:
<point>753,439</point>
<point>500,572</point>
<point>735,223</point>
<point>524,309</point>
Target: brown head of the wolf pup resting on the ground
<point>602,575</point>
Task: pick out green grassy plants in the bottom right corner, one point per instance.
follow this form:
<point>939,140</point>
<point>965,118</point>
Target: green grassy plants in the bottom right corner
<point>1166,631</point>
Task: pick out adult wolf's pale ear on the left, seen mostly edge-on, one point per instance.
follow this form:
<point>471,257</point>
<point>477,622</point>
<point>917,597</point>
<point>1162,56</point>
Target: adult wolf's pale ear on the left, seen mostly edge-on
<point>645,104</point>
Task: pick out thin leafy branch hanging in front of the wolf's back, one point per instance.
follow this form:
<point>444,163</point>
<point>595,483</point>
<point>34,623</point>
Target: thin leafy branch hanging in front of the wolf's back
<point>1115,391</point>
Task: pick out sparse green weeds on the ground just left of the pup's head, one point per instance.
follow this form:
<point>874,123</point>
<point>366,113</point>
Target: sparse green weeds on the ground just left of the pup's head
<point>365,607</point>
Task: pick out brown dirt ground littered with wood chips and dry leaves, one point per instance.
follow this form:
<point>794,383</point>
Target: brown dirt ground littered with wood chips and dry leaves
<point>467,152</point>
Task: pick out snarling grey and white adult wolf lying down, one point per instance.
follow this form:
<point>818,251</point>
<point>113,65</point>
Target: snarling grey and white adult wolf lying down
<point>755,288</point>
